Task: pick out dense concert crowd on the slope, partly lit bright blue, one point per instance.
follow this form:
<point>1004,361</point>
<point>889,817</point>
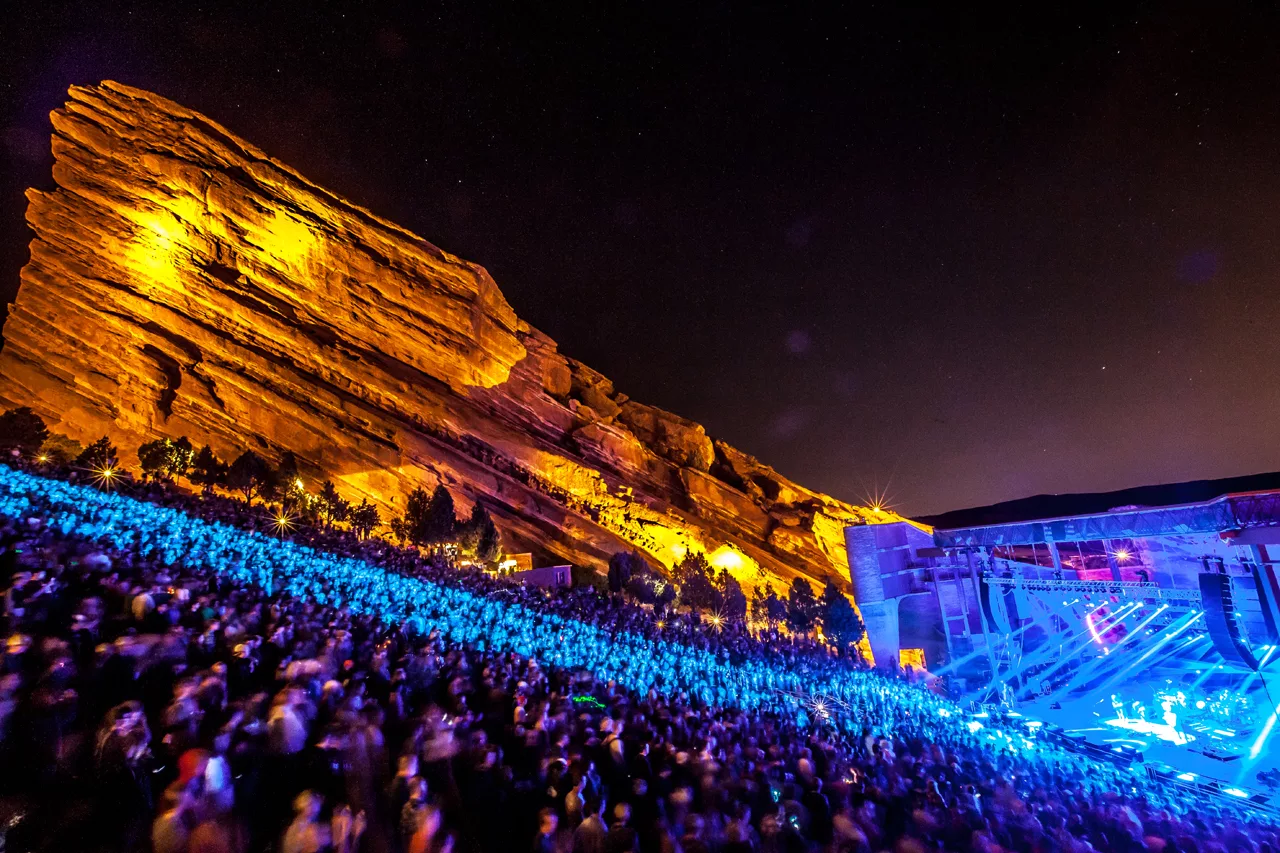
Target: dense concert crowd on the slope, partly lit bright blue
<point>182,678</point>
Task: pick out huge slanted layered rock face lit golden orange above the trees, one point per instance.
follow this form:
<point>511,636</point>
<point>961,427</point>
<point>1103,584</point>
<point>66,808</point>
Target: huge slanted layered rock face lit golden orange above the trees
<point>182,282</point>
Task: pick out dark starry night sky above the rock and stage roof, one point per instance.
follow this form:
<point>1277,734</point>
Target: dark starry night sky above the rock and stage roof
<point>954,258</point>
